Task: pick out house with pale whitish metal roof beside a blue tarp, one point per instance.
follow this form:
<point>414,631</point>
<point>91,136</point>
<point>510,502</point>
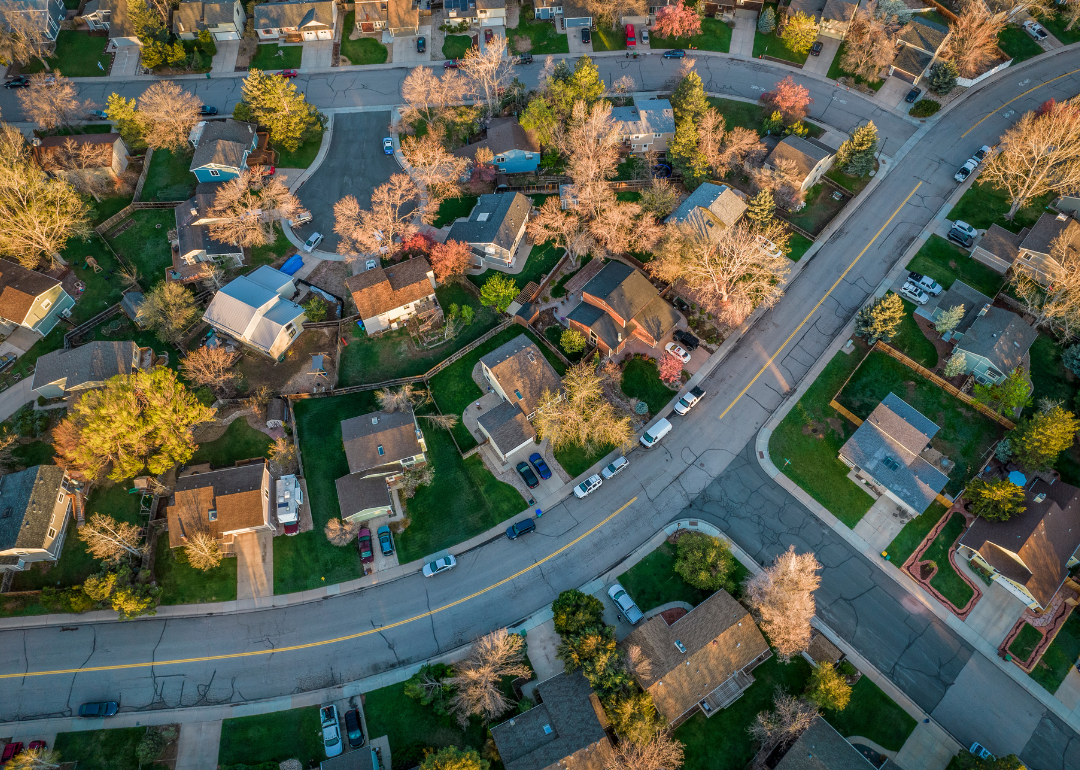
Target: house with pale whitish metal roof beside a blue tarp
<point>256,309</point>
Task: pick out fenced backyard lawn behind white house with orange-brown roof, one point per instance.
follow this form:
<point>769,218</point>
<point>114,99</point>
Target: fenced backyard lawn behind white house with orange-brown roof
<point>394,355</point>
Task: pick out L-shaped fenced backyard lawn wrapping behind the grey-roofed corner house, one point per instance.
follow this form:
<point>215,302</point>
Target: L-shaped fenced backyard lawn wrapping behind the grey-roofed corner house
<point>965,435</point>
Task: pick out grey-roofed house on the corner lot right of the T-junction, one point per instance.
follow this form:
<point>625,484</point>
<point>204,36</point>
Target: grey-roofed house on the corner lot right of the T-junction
<point>888,453</point>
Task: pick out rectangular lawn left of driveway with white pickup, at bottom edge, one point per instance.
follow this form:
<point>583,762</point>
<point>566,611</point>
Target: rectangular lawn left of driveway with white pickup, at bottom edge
<point>273,738</point>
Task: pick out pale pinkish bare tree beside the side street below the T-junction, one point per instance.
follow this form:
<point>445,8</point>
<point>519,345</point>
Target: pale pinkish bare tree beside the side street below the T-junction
<point>781,598</point>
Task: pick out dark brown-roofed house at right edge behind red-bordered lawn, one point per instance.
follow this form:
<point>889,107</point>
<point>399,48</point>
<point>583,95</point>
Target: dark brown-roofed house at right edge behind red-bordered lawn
<point>1031,555</point>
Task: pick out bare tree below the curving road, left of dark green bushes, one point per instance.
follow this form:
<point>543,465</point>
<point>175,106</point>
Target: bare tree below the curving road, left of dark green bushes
<point>479,678</point>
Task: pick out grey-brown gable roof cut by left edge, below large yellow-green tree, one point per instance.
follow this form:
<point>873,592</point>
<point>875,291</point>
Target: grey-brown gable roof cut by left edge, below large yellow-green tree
<point>28,499</point>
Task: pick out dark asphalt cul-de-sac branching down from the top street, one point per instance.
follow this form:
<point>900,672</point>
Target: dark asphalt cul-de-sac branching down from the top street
<point>355,166</point>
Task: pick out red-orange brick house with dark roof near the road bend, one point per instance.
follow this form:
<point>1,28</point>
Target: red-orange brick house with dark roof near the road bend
<point>619,303</point>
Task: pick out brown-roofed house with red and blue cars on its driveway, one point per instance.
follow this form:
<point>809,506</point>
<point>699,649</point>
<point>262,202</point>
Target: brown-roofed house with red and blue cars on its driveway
<point>380,449</point>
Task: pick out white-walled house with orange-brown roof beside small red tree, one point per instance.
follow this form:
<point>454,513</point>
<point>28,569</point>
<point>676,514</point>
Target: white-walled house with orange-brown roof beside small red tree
<point>388,298</point>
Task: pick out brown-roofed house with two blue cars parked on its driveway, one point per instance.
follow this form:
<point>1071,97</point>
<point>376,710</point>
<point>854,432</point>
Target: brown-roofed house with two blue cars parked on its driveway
<point>520,374</point>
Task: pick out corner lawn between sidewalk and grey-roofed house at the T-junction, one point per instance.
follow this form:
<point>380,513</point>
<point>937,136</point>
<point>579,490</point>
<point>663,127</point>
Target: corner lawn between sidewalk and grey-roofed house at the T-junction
<point>807,443</point>
